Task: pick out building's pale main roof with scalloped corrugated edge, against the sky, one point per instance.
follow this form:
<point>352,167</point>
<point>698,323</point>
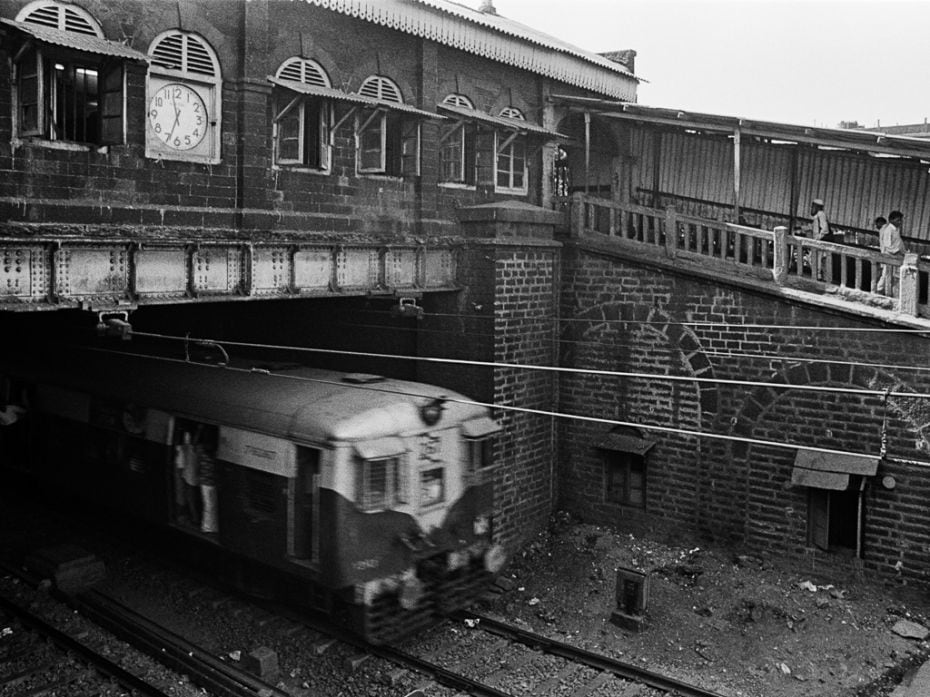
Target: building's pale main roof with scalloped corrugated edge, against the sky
<point>494,37</point>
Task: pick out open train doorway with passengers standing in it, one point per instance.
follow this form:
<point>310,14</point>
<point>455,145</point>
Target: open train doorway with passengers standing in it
<point>195,478</point>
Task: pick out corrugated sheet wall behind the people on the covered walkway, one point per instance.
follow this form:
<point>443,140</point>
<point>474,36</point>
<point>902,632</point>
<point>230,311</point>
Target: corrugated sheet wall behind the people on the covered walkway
<point>855,187</point>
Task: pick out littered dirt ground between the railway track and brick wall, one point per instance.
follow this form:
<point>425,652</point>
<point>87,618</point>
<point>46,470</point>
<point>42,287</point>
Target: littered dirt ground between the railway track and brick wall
<point>736,623</point>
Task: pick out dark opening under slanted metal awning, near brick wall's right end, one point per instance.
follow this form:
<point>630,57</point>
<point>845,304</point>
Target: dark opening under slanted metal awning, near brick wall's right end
<point>836,502</point>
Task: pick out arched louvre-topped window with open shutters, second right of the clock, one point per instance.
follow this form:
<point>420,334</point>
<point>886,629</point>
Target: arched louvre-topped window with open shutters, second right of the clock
<point>388,139</point>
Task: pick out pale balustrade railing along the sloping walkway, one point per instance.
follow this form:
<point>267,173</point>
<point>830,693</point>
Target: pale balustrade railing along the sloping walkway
<point>771,255</point>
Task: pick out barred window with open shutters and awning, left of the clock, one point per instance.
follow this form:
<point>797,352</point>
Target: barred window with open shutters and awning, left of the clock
<point>69,79</point>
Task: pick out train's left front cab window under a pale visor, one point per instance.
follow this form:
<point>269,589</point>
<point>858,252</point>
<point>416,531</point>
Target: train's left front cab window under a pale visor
<point>382,481</point>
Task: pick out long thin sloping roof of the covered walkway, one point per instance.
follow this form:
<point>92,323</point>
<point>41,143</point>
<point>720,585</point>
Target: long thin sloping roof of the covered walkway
<point>845,138</point>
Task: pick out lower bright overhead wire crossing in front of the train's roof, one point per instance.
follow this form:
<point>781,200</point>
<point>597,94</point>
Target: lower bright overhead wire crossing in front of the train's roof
<point>557,414</point>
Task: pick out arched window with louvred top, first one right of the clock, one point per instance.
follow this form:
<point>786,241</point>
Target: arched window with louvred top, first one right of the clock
<point>303,114</point>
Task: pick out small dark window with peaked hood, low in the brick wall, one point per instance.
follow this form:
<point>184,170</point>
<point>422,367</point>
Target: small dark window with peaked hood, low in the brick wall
<point>624,450</point>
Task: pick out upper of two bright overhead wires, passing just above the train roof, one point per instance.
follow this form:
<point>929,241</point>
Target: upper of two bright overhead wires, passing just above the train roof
<point>884,394</point>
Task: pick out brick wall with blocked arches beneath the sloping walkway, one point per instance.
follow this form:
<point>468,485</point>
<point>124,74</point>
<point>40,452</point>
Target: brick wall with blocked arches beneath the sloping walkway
<point>619,316</point>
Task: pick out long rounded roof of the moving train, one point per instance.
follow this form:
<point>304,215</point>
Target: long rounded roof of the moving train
<point>303,404</point>
